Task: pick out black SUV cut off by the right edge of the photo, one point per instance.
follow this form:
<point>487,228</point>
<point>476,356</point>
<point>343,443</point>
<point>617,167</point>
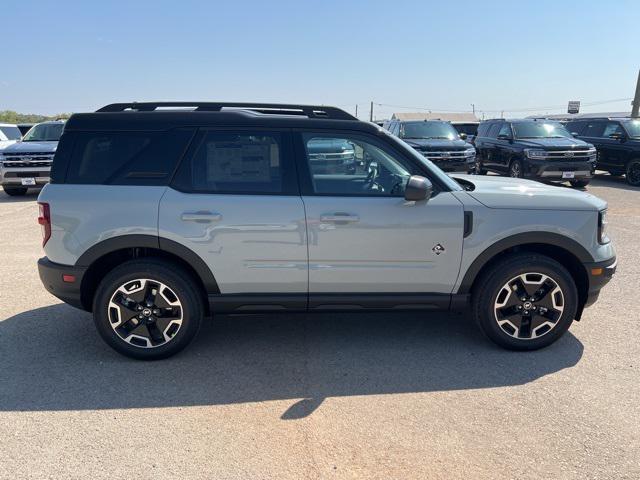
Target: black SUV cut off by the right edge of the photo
<point>617,141</point>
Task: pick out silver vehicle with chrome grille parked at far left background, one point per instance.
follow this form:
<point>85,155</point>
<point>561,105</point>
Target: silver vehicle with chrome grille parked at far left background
<point>27,163</point>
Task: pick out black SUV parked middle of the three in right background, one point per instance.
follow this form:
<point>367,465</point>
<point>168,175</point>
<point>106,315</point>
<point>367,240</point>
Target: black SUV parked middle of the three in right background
<point>539,149</point>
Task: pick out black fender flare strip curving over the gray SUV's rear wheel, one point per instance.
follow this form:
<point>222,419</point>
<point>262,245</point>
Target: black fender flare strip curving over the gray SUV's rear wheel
<point>121,242</point>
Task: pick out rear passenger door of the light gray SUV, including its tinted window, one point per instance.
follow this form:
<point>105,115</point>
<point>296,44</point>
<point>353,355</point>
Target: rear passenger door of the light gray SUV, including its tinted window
<point>235,202</point>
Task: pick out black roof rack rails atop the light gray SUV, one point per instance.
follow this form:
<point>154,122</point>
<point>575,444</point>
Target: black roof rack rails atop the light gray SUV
<point>311,111</point>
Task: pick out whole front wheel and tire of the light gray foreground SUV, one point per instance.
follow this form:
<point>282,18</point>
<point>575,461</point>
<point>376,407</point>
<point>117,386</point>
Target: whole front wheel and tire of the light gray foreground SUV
<point>493,302</point>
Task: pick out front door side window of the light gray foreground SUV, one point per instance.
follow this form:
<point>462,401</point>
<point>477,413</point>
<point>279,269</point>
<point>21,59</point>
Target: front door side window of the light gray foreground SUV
<point>351,165</point>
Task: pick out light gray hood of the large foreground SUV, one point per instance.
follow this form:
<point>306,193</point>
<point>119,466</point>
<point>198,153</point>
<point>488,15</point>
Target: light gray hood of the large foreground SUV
<point>515,193</point>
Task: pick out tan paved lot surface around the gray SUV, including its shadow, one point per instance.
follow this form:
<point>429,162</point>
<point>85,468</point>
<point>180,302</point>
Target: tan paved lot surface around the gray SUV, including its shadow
<point>319,396</point>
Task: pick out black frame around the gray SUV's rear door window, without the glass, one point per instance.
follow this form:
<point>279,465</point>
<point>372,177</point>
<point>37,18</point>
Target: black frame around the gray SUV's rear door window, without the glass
<point>290,188</point>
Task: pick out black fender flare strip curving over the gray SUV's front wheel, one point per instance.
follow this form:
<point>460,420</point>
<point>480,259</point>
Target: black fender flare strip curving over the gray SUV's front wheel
<point>540,238</point>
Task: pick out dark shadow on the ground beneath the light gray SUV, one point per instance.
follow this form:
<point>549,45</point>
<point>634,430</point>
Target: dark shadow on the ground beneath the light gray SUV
<point>51,358</point>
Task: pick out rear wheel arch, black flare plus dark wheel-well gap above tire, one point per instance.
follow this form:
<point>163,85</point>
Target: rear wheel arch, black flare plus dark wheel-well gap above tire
<point>108,254</point>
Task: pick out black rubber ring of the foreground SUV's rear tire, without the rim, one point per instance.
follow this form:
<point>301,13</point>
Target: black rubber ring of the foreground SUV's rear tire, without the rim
<point>176,280</point>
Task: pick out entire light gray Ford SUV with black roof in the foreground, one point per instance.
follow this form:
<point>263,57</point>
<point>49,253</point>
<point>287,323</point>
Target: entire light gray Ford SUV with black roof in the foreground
<point>155,218</point>
